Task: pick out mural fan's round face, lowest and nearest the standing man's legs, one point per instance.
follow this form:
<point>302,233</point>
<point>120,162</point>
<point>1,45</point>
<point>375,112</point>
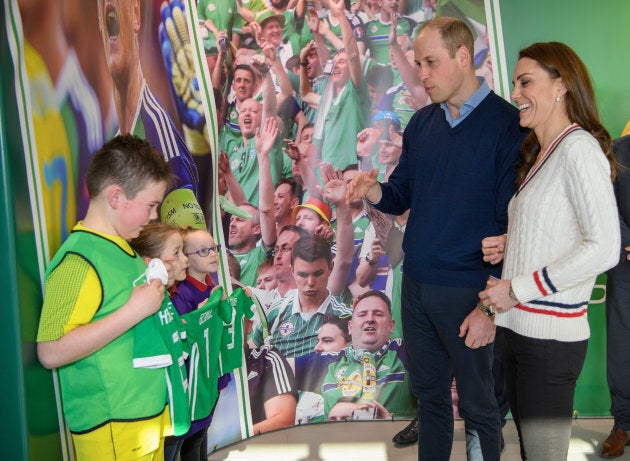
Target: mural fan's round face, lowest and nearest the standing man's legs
<point>371,324</point>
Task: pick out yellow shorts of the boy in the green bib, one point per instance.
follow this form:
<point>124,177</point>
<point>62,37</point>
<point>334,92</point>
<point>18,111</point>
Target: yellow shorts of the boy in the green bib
<point>116,441</point>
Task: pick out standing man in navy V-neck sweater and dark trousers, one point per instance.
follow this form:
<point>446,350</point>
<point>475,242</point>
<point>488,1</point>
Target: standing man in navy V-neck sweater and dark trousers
<point>456,174</point>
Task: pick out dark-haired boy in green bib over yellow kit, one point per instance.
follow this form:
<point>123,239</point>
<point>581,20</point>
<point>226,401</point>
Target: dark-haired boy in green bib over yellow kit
<point>95,295</point>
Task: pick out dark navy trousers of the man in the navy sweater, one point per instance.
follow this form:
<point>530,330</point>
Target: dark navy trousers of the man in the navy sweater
<point>431,317</point>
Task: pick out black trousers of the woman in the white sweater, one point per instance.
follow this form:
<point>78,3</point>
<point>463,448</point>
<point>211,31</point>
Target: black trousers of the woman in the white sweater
<point>540,377</point>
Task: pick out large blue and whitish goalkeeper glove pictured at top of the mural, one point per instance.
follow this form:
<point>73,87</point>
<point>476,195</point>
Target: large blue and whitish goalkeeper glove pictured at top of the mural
<point>178,59</point>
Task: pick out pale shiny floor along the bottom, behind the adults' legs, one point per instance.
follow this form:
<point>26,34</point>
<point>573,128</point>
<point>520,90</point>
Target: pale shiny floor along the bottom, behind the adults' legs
<point>371,441</point>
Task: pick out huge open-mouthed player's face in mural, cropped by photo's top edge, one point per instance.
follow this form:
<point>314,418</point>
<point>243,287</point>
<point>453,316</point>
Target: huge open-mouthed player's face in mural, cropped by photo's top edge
<point>119,22</point>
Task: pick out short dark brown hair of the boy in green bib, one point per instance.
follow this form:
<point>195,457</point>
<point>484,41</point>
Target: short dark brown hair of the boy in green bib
<point>129,162</point>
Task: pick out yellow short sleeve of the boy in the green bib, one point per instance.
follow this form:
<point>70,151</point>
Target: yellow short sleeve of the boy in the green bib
<point>73,294</point>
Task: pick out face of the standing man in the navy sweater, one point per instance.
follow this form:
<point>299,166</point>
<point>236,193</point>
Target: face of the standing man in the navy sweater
<point>442,76</point>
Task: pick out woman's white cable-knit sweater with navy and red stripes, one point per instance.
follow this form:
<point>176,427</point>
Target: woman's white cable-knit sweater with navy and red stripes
<point>563,231</point>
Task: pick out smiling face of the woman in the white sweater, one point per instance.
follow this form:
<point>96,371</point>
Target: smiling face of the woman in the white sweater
<point>535,94</point>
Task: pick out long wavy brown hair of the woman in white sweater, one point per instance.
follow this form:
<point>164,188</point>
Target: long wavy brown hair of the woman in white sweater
<point>560,61</point>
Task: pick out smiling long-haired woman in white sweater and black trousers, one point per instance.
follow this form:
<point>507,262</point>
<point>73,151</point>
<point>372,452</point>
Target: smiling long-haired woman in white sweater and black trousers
<point>563,231</point>
